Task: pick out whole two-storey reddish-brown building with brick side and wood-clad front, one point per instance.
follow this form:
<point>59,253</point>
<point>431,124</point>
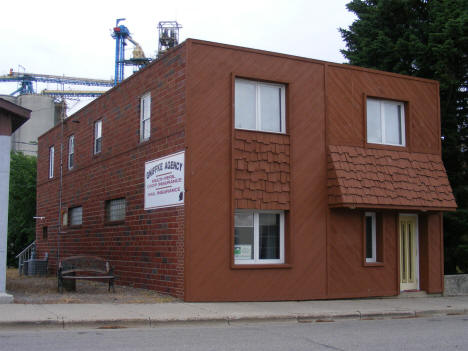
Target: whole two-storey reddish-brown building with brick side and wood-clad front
<point>220,173</point>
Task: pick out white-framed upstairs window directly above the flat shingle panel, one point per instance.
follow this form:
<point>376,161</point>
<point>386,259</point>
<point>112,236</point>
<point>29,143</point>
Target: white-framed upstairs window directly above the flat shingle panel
<point>260,106</point>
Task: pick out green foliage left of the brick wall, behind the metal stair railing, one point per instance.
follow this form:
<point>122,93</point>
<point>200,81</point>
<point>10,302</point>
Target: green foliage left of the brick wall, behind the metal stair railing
<point>22,204</point>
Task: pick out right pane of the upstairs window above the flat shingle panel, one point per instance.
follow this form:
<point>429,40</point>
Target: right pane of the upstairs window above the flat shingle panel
<point>270,108</point>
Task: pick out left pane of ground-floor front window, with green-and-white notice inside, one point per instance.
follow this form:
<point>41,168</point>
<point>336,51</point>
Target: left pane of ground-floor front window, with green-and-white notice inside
<point>243,236</point>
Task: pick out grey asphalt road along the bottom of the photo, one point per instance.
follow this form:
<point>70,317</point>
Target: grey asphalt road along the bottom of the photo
<point>437,333</point>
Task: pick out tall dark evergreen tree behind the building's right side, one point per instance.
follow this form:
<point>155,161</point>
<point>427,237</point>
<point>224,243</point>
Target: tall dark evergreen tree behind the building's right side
<point>425,38</point>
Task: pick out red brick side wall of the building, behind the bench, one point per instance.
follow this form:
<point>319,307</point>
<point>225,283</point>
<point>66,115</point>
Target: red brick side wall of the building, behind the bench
<point>147,249</point>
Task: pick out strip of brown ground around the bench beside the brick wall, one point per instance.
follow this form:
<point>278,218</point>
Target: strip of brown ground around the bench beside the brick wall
<point>43,290</point>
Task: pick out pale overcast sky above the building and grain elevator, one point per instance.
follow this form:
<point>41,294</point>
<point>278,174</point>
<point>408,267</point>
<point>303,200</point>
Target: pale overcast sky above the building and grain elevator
<point>73,38</point>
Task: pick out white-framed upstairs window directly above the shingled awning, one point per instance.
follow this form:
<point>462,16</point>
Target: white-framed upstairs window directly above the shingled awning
<point>385,122</point>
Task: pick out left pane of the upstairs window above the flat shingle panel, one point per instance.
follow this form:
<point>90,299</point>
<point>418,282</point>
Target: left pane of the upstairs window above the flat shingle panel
<point>245,105</point>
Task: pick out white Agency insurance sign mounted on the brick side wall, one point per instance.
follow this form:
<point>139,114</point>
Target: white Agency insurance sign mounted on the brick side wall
<point>164,181</point>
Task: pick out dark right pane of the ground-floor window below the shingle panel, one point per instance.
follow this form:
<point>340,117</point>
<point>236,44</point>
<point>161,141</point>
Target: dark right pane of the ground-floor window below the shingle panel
<point>269,236</point>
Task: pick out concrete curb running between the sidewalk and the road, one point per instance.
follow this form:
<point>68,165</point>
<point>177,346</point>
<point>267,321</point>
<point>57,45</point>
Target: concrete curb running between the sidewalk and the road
<point>228,321</point>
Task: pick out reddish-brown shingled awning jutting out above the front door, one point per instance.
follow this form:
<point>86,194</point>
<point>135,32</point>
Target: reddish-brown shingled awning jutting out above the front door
<point>375,178</point>
